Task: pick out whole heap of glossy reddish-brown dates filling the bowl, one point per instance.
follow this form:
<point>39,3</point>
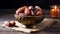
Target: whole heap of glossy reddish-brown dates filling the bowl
<point>29,11</point>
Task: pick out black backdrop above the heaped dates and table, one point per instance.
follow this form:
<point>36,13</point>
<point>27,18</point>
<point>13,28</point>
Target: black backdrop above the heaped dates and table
<point>45,4</point>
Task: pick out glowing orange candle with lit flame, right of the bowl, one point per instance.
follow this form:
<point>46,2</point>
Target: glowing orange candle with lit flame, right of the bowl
<point>55,11</point>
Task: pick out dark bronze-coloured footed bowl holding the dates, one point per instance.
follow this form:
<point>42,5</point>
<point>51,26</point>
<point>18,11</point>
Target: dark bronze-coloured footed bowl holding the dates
<point>29,20</point>
